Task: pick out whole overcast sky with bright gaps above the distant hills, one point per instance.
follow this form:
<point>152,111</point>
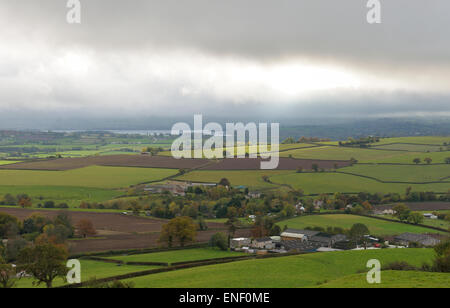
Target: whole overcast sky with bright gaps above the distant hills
<point>235,58</point>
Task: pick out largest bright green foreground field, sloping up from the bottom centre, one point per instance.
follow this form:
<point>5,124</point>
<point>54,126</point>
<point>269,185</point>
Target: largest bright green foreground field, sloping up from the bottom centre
<point>284,272</point>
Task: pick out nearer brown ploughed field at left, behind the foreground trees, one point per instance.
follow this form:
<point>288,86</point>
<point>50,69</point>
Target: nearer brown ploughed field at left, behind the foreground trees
<point>118,231</point>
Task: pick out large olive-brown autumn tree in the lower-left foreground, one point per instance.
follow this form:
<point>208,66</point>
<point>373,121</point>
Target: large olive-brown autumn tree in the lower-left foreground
<point>45,262</point>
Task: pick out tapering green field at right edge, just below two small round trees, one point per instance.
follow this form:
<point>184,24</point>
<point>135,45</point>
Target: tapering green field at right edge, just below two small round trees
<point>402,173</point>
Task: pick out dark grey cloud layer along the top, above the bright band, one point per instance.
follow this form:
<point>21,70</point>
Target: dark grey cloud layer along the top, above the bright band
<point>413,30</point>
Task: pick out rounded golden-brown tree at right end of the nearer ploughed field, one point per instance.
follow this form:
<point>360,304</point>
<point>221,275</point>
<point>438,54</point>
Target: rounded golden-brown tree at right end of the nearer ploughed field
<point>180,229</point>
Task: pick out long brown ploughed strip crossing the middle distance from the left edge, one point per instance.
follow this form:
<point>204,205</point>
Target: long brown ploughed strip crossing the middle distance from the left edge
<point>168,162</point>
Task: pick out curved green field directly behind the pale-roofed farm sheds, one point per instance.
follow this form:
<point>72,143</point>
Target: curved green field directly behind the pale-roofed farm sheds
<point>376,227</point>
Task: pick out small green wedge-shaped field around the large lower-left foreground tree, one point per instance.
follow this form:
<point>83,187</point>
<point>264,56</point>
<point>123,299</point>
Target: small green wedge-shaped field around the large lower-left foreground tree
<point>92,269</point>
